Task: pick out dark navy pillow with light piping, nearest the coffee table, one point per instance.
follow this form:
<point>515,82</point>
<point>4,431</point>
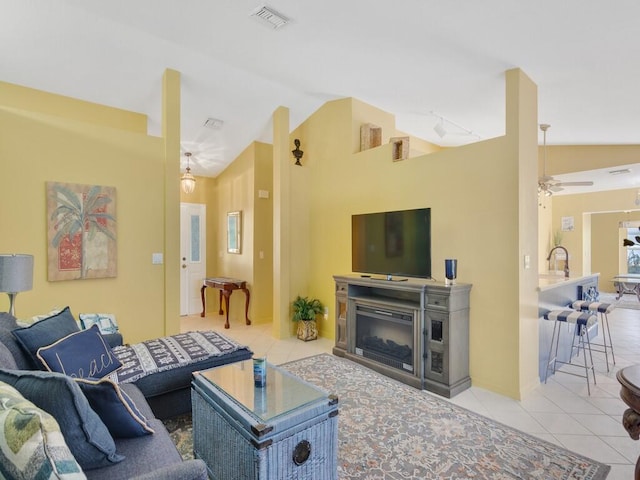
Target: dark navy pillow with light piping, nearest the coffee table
<point>115,408</point>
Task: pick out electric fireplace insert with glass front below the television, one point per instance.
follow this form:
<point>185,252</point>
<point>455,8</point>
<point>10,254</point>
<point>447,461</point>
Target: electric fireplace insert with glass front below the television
<point>385,336</point>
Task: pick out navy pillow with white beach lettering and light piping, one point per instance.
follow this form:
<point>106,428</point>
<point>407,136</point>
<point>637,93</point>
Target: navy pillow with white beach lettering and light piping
<point>83,354</point>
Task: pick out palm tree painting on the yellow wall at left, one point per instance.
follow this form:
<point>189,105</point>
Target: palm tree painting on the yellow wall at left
<point>81,231</point>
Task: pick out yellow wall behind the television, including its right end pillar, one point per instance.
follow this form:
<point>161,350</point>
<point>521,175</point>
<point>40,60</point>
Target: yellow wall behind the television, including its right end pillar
<point>482,230</point>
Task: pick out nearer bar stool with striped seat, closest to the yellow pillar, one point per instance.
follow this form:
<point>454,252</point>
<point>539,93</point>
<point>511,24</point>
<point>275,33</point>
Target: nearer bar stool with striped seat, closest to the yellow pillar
<point>582,321</point>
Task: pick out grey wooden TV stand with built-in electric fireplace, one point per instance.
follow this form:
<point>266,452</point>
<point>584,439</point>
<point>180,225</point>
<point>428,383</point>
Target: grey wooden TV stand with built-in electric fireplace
<point>435,327</point>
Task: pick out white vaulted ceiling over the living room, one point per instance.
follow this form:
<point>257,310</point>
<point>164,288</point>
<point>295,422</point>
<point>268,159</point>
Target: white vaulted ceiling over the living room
<point>418,59</point>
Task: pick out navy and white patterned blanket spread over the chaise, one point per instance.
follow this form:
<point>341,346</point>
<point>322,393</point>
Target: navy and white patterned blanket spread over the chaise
<point>166,353</point>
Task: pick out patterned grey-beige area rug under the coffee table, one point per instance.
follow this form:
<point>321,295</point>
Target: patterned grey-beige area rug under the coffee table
<point>388,430</point>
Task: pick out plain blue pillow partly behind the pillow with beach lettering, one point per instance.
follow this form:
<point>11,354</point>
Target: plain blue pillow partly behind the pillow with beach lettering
<point>45,332</point>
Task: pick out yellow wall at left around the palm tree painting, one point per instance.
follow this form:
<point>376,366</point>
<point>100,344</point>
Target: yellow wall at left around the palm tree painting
<point>37,147</point>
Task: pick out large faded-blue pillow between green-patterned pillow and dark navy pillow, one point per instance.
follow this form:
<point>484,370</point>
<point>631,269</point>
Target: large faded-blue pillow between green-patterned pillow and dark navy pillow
<point>87,437</point>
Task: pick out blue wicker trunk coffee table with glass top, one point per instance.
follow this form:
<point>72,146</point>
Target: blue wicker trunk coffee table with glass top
<point>287,430</point>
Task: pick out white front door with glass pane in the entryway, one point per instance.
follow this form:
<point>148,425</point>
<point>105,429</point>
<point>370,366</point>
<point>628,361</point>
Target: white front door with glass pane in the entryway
<point>193,256</point>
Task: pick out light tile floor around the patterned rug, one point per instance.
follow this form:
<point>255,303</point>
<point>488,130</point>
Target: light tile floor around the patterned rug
<point>559,411</point>
